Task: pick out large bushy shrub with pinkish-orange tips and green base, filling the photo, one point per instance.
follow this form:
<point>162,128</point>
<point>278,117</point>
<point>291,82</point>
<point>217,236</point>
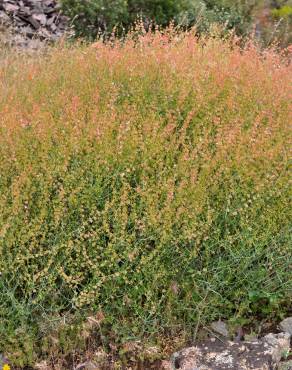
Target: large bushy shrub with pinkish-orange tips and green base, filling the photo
<point>145,184</point>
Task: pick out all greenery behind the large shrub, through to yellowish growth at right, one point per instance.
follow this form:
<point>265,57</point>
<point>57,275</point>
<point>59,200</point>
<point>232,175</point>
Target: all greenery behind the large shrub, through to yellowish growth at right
<point>271,17</point>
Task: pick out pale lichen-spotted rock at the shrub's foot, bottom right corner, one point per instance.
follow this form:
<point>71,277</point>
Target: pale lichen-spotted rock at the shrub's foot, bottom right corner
<point>272,351</point>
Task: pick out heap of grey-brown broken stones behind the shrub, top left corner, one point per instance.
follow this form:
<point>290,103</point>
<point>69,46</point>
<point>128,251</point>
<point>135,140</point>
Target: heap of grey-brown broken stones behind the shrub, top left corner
<point>31,23</point>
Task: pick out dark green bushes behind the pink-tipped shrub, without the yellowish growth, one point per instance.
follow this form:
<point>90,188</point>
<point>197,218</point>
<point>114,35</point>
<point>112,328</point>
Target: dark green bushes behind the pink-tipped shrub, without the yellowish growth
<point>94,16</point>
